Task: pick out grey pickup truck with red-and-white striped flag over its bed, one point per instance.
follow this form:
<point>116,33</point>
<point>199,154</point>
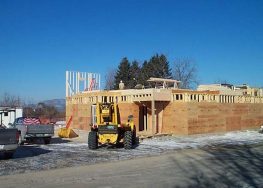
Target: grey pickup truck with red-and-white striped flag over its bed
<point>31,129</point>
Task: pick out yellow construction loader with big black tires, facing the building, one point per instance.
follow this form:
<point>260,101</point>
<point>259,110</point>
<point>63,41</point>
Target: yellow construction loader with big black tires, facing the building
<point>109,130</point>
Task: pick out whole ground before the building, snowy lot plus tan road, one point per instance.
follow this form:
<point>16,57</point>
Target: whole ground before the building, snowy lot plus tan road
<point>226,160</point>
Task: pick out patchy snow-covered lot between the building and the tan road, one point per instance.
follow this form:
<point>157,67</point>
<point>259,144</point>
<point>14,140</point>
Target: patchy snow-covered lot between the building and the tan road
<point>66,154</point>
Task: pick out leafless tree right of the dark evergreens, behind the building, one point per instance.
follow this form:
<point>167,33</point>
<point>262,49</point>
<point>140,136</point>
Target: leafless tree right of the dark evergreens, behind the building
<point>185,70</point>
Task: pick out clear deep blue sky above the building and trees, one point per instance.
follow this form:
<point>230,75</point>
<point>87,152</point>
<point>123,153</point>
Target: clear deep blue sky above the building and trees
<point>40,40</point>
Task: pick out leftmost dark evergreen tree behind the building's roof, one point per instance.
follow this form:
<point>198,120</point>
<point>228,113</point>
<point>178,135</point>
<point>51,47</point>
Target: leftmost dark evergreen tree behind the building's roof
<point>123,73</point>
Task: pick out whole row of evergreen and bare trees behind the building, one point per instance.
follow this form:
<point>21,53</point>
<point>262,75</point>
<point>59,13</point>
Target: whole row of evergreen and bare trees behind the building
<point>132,73</point>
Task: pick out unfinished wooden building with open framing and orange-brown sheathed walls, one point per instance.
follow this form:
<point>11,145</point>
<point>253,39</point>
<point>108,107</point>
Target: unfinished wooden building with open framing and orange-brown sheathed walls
<point>165,108</point>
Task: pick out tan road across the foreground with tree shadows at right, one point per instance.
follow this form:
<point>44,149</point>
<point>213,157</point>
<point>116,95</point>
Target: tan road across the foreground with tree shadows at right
<point>221,166</point>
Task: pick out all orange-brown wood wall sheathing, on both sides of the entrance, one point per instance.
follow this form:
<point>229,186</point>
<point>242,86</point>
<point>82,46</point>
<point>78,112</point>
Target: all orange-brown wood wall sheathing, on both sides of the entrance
<point>182,118</point>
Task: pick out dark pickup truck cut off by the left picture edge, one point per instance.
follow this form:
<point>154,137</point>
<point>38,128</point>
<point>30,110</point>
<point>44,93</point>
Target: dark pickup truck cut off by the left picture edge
<point>8,141</point>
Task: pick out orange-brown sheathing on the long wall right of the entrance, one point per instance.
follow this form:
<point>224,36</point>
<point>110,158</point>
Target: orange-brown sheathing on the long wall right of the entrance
<point>196,118</point>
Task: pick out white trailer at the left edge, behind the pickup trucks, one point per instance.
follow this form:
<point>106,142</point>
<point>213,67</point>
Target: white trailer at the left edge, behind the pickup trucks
<point>8,115</point>
